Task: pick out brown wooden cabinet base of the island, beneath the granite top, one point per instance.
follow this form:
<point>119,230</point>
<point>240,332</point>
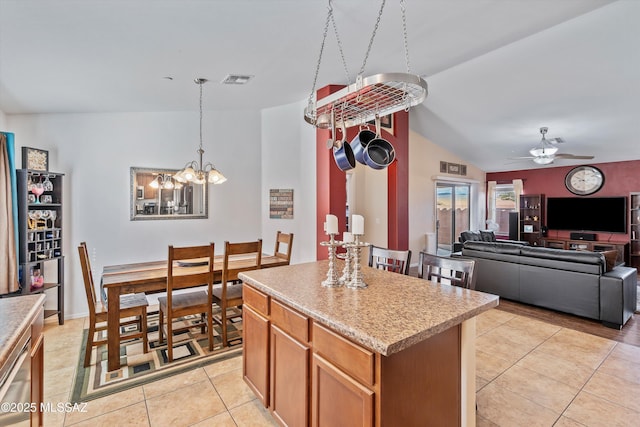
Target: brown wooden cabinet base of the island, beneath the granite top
<point>308,374</point>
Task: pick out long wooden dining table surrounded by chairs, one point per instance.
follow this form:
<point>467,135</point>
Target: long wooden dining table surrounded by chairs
<point>151,277</point>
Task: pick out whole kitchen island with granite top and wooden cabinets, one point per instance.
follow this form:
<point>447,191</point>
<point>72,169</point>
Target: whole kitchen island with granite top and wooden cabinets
<point>400,352</point>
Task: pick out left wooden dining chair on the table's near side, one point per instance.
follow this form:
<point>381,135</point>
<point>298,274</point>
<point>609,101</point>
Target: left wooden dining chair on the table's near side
<point>187,267</point>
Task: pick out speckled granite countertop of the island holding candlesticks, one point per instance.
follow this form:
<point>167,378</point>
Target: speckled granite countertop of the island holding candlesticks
<point>393,313</point>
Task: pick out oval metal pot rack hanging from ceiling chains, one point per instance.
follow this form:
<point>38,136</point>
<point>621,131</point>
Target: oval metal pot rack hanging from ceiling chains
<point>369,97</point>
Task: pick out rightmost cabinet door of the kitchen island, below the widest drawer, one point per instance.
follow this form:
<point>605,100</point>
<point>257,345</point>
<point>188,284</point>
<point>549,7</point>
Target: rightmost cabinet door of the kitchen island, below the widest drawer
<point>337,399</point>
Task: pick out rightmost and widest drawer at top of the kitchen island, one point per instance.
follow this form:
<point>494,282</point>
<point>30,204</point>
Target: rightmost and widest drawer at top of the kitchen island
<point>351,358</point>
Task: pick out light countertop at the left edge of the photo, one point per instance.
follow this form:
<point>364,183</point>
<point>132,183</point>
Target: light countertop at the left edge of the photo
<point>16,315</point>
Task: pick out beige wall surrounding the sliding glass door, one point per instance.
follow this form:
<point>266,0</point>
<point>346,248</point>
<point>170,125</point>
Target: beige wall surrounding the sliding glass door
<point>424,165</point>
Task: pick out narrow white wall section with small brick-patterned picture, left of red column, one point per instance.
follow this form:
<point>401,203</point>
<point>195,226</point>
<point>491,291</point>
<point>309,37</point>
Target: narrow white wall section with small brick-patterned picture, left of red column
<point>288,161</point>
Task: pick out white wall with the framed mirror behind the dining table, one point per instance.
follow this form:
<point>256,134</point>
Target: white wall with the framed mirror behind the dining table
<point>95,151</point>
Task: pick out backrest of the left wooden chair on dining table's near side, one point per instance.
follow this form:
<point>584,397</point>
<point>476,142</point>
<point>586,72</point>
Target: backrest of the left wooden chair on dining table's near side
<point>196,269</point>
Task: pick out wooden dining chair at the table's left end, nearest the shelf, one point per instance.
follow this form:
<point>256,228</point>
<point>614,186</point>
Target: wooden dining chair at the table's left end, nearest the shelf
<point>131,305</point>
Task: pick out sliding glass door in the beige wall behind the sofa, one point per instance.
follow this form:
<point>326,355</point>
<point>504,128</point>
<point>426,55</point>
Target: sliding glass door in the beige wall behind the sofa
<point>452,214</point>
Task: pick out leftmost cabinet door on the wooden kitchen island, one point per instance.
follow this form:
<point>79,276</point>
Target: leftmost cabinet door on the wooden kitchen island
<point>255,361</point>
